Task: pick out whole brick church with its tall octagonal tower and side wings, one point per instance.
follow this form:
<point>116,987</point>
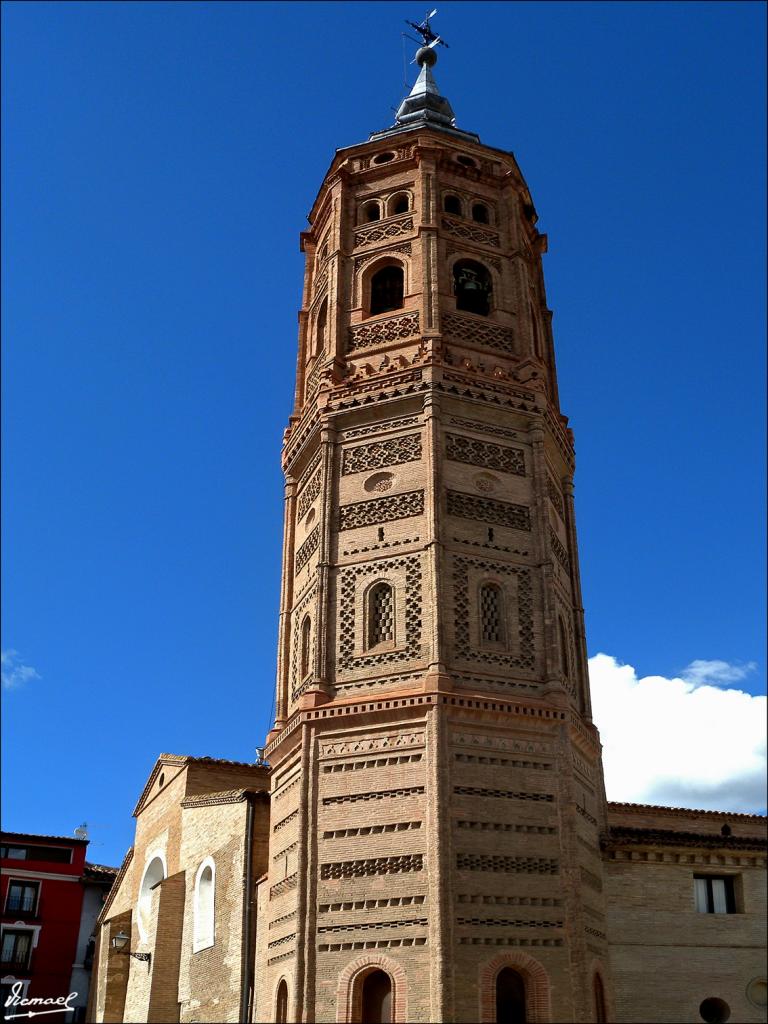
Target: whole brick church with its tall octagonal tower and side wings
<point>426,838</point>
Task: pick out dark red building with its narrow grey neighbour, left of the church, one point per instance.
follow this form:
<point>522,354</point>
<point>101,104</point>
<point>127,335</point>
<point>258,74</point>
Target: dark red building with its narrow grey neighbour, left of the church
<point>51,898</point>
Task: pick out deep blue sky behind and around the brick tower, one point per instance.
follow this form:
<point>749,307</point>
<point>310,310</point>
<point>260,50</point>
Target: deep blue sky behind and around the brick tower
<point>159,161</point>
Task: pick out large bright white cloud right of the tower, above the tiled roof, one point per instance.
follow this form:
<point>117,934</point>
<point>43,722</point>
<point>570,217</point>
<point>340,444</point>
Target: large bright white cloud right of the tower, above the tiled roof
<point>681,742</point>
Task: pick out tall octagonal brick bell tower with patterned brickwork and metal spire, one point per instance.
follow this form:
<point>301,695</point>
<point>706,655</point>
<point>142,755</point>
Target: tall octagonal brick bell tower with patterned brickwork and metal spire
<point>438,793</point>
